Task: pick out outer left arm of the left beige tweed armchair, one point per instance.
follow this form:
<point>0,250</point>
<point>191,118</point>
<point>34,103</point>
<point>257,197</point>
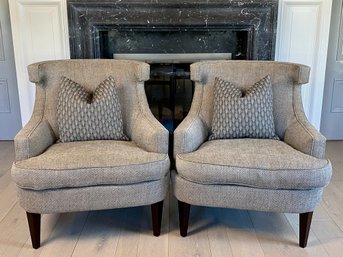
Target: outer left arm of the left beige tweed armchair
<point>33,139</point>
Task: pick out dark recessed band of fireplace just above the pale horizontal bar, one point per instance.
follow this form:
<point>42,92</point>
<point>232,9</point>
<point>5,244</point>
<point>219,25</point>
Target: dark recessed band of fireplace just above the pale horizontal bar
<point>236,40</point>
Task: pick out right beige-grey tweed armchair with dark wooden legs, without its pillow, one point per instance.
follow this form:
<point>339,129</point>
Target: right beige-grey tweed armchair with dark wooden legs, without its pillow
<point>286,175</point>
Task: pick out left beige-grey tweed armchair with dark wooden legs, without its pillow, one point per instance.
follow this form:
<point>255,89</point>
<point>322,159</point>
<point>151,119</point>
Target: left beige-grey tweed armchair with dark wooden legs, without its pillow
<point>55,177</point>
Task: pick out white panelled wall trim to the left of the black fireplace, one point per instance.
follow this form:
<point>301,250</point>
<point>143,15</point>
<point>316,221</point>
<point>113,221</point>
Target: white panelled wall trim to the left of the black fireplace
<point>40,32</point>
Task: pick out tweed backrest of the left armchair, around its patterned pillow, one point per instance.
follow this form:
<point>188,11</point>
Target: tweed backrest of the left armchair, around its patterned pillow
<point>129,77</point>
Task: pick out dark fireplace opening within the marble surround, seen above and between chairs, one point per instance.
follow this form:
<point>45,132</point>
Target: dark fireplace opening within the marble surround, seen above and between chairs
<point>170,51</point>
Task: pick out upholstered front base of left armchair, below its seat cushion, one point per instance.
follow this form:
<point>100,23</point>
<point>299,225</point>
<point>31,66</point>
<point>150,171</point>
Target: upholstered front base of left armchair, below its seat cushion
<point>93,197</point>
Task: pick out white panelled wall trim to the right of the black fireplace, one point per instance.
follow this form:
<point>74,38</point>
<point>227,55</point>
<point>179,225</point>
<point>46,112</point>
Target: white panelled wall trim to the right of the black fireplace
<point>302,37</point>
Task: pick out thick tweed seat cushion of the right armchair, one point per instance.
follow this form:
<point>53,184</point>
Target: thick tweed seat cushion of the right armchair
<point>261,163</point>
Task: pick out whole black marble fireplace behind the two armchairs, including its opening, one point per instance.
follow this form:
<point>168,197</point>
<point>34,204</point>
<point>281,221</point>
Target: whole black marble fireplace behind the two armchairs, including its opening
<point>243,29</point>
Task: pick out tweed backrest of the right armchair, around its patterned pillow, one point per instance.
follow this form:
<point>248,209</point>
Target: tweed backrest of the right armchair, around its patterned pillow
<point>284,77</point>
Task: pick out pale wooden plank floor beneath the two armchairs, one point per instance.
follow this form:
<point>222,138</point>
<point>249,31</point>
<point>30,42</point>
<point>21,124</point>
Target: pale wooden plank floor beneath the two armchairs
<point>212,231</point>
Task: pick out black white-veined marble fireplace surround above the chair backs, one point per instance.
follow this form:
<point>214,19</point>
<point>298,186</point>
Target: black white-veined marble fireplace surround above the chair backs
<point>100,28</point>
